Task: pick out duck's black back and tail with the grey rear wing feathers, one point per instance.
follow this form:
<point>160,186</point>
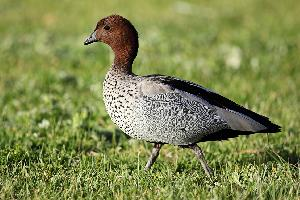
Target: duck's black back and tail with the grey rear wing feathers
<point>241,121</point>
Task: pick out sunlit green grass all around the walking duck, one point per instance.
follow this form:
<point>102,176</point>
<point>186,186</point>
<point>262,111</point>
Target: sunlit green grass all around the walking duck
<point>57,141</point>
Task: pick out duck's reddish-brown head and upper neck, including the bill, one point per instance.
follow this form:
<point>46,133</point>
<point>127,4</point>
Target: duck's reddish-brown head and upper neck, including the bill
<point>120,35</point>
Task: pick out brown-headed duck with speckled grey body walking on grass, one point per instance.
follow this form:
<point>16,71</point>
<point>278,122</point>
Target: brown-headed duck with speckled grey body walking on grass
<point>164,109</point>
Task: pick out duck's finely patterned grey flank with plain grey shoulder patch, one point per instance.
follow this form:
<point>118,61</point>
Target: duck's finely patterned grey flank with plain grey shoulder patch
<point>169,115</point>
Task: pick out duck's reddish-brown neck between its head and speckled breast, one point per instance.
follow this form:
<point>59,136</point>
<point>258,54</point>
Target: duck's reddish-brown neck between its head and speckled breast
<point>124,57</point>
